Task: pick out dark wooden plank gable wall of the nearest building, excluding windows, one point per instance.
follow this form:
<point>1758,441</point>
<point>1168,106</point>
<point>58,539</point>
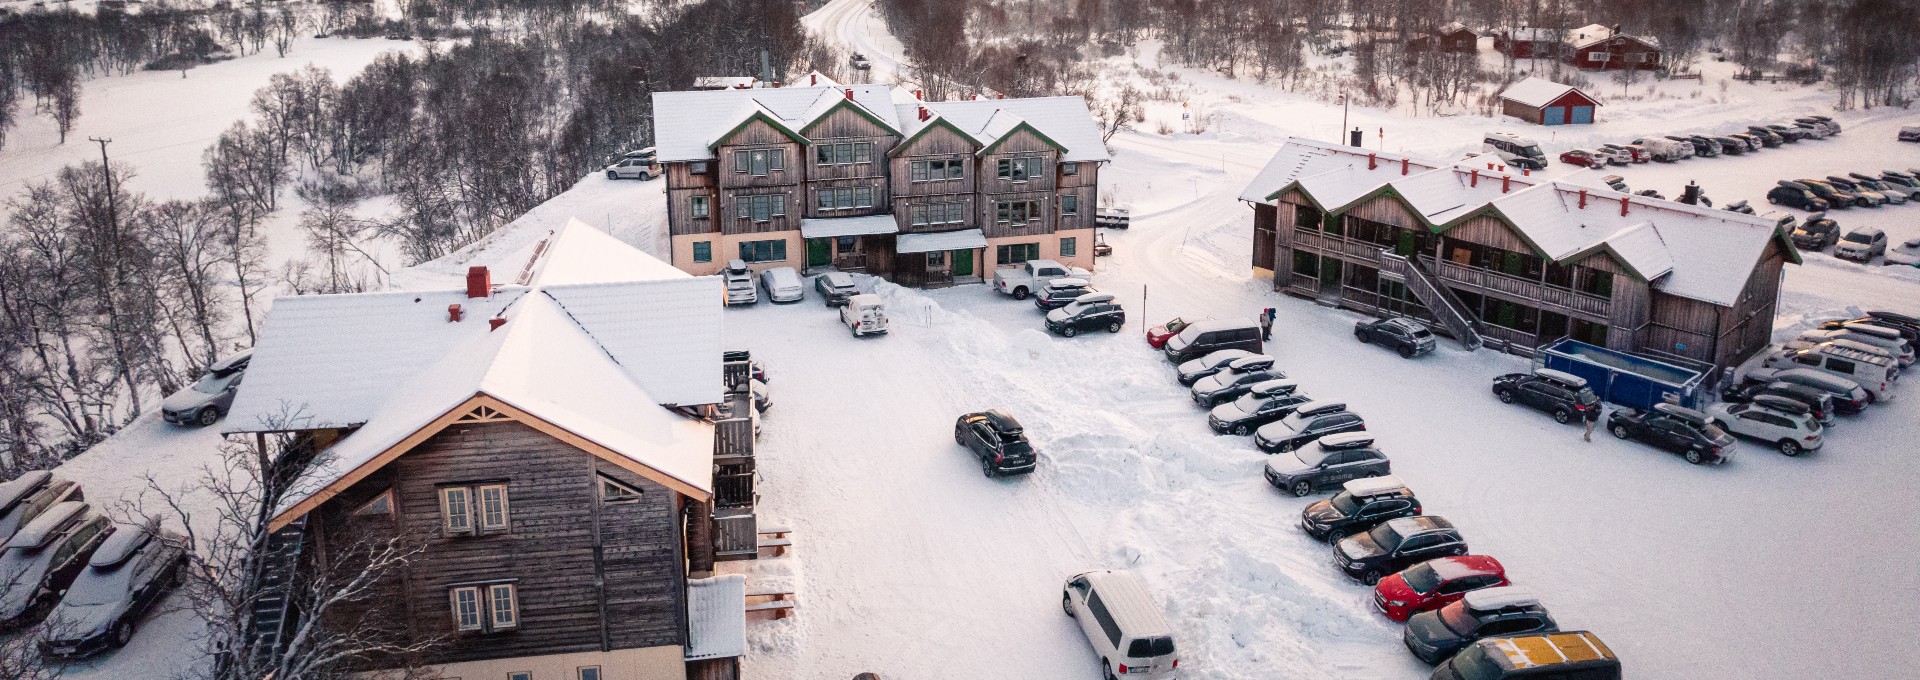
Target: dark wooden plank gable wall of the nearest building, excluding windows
<point>588,575</point>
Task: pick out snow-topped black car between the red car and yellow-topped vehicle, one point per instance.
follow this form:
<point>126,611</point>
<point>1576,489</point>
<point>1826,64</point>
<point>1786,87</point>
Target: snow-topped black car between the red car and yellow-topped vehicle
<point>1483,614</point>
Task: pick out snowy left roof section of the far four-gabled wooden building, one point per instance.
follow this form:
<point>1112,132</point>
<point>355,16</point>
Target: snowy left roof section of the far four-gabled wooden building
<point>688,124</point>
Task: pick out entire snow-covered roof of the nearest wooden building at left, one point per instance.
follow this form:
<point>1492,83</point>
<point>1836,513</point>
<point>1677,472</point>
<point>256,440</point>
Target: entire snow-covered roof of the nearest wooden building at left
<point>590,352</point>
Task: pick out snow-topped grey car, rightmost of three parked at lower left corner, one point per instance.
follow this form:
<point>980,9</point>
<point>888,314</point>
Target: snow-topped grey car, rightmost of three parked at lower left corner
<point>132,571</point>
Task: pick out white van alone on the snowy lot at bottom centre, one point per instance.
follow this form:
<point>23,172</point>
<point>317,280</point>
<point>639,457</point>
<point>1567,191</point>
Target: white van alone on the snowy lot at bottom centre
<point>1124,625</point>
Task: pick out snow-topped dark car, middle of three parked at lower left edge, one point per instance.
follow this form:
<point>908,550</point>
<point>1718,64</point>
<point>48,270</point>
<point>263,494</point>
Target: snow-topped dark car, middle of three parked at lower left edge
<point>43,558</point>
